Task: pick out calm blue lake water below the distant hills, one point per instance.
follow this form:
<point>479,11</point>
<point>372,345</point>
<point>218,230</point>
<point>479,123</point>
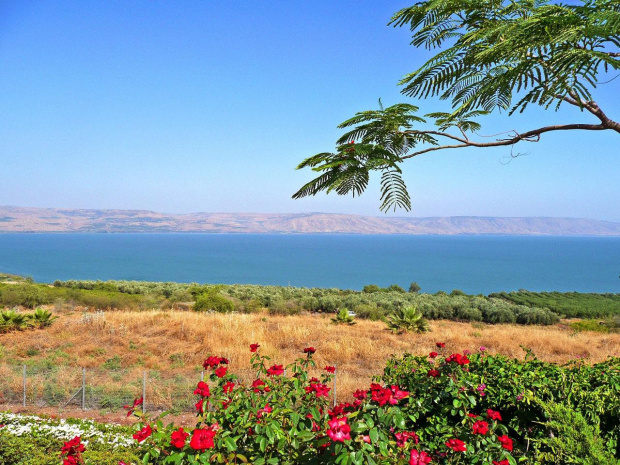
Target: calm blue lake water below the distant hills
<point>474,264</point>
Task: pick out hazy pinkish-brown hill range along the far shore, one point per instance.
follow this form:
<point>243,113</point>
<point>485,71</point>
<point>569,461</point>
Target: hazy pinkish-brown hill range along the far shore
<point>22,219</point>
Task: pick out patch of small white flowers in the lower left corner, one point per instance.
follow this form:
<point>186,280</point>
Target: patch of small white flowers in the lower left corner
<point>28,425</point>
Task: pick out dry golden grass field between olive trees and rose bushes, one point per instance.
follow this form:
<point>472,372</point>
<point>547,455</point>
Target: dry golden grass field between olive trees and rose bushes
<point>178,342</point>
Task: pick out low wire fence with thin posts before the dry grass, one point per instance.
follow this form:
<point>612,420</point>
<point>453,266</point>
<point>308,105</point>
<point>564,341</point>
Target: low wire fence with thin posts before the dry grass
<point>104,388</point>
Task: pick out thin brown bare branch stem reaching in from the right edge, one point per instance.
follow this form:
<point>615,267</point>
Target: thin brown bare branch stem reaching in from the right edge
<point>529,136</point>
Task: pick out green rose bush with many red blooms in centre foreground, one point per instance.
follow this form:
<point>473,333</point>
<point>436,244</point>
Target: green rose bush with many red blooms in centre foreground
<point>285,417</point>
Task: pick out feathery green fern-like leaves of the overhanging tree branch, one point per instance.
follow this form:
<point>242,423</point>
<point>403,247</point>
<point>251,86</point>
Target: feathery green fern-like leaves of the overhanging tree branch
<point>491,56</point>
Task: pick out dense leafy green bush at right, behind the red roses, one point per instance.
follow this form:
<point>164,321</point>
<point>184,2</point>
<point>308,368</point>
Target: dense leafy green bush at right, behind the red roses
<point>517,393</point>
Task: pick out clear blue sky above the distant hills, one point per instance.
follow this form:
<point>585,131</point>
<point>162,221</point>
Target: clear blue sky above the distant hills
<point>209,105</point>
